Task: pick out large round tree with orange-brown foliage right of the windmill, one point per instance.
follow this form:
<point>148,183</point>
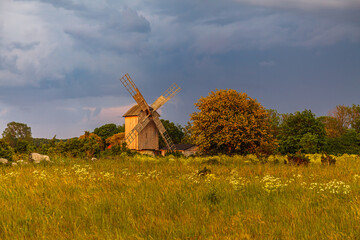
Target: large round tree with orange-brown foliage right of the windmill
<point>231,122</point>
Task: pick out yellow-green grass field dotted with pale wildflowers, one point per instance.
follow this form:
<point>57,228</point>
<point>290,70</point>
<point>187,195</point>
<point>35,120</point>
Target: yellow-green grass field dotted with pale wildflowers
<point>168,198</point>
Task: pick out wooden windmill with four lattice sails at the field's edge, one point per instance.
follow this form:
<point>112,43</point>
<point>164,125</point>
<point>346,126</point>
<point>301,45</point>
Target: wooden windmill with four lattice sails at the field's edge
<point>142,122</point>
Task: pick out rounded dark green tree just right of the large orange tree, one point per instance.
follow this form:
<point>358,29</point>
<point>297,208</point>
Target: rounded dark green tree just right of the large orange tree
<point>301,131</point>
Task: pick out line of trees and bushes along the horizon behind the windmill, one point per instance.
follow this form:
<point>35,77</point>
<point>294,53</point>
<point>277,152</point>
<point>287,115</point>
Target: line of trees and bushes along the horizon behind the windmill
<point>227,122</point>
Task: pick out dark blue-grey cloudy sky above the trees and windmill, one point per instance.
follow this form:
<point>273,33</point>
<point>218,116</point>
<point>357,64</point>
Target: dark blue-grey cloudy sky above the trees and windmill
<point>61,60</point>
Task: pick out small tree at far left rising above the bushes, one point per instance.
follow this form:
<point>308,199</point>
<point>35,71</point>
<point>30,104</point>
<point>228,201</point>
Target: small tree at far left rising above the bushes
<point>16,131</point>
